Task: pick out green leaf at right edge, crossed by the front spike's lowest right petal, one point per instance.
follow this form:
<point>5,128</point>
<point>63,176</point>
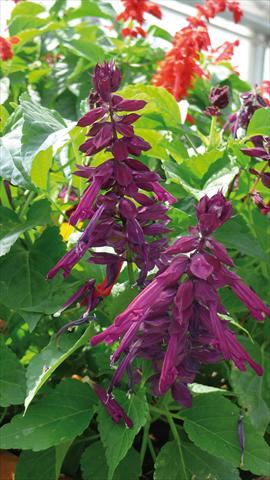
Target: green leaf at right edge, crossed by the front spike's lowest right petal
<point>250,388</point>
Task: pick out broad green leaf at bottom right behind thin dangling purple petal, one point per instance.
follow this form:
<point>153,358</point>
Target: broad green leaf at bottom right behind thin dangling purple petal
<point>211,424</point>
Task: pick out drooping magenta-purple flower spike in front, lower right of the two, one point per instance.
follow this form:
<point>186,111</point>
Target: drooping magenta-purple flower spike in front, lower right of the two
<point>176,321</point>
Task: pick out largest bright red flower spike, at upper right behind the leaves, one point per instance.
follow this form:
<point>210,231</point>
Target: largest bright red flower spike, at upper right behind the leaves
<point>177,71</point>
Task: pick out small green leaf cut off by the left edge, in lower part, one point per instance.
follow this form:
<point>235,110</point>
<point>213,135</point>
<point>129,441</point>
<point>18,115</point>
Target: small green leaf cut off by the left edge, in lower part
<point>12,378</point>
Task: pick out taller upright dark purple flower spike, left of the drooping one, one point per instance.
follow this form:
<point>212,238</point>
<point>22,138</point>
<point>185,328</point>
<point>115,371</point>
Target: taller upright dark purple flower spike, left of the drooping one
<point>124,206</point>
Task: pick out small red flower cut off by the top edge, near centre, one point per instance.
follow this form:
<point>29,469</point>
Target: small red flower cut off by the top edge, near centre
<point>134,11</point>
